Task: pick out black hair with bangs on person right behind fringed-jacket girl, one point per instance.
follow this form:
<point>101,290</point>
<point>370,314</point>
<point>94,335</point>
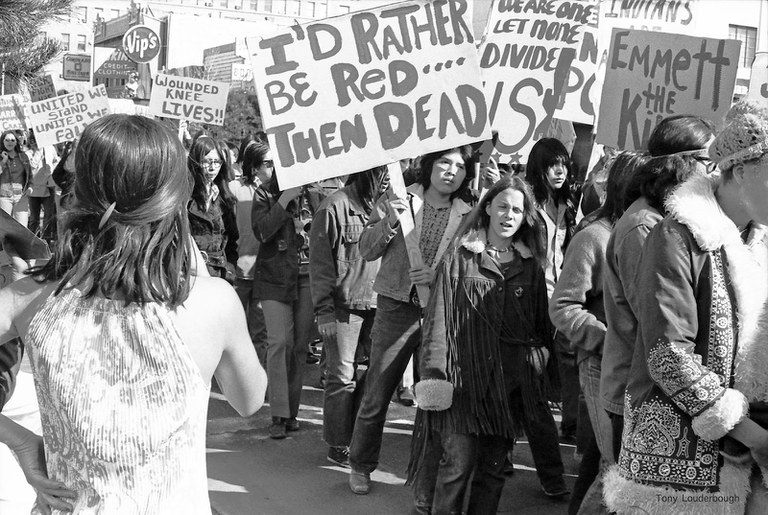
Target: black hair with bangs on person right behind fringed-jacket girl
<point>545,153</point>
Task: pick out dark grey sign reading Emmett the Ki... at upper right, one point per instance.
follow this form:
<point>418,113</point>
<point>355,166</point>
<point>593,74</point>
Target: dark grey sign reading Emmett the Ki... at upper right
<point>652,75</point>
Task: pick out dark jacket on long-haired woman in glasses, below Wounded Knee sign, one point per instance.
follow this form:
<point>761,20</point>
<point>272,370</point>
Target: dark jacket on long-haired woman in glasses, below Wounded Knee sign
<point>215,232</point>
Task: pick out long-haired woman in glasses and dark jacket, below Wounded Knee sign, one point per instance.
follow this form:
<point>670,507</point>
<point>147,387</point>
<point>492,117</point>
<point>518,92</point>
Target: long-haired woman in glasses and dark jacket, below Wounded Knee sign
<point>212,208</point>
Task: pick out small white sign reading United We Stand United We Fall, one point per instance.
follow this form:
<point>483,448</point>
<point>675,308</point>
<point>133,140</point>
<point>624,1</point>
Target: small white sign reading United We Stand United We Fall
<point>63,118</point>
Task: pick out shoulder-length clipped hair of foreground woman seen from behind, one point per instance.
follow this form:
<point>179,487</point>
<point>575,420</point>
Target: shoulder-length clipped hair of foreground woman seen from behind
<point>142,254</point>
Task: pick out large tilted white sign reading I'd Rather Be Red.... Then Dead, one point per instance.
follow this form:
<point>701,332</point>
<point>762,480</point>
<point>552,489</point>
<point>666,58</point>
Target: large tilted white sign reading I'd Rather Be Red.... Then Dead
<point>344,94</point>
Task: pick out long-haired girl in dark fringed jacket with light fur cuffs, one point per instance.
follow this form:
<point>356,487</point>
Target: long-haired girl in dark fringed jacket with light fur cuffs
<point>484,375</point>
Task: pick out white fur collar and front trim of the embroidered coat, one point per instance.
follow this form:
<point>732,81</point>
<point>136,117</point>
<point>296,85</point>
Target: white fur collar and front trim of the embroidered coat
<point>694,205</point>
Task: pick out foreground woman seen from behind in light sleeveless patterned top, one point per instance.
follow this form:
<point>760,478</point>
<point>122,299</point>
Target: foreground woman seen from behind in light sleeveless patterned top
<point>124,333</point>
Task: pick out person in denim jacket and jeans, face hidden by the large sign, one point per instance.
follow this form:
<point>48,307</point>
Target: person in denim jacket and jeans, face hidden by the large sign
<point>344,300</point>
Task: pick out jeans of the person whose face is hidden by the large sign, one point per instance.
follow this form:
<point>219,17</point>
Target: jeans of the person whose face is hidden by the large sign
<point>352,328</point>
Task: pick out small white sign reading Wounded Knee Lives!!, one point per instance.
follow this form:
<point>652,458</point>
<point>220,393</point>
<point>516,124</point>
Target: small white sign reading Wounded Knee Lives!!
<point>185,98</point>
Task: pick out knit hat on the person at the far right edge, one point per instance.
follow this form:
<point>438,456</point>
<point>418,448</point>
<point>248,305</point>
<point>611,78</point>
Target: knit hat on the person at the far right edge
<point>743,139</point>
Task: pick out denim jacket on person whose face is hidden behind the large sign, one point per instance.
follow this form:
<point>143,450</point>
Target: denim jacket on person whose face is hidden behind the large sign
<point>339,276</point>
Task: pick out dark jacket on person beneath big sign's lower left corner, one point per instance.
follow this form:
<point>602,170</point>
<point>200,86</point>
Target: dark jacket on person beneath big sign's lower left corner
<point>276,273</point>
